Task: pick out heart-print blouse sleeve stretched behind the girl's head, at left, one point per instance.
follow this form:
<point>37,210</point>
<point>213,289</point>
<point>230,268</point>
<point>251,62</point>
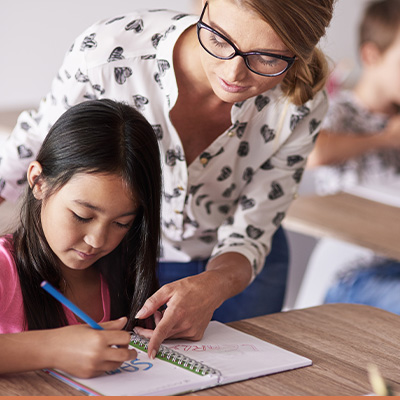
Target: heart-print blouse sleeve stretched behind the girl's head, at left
<point>70,86</point>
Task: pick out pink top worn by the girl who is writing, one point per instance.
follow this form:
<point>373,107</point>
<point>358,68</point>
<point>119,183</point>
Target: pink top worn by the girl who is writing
<point>12,315</point>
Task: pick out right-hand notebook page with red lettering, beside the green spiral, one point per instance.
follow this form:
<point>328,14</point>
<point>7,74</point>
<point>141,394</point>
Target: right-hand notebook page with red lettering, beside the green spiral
<point>237,355</point>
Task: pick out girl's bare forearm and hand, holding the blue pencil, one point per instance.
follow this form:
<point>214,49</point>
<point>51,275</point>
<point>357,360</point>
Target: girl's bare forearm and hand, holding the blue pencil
<point>77,349</point>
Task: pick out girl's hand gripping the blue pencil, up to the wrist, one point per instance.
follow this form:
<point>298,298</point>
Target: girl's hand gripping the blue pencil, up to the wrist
<point>86,352</point>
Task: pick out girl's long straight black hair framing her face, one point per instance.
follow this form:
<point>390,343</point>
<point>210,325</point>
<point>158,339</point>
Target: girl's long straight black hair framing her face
<point>98,136</point>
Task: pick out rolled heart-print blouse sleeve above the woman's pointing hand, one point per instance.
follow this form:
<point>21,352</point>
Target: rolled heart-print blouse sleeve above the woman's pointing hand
<point>264,202</point>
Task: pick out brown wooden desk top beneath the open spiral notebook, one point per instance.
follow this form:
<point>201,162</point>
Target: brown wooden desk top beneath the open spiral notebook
<point>341,339</point>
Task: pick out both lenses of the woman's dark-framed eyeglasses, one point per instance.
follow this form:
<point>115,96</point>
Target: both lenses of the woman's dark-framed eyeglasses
<point>217,46</point>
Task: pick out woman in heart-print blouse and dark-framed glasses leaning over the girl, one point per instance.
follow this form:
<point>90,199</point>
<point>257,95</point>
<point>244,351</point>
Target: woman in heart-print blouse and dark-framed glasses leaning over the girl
<point>236,100</point>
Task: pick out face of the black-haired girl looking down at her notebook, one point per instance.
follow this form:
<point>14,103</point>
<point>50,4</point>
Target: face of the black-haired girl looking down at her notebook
<point>87,218</point>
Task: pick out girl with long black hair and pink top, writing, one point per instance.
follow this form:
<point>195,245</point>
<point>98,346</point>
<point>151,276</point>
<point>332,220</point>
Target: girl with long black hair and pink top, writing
<point>90,226</point>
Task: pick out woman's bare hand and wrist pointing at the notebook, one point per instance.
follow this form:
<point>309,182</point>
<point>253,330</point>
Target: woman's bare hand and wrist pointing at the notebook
<point>192,301</point>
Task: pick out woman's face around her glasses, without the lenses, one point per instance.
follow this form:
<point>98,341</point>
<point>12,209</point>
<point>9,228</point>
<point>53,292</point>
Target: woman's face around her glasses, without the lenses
<point>231,80</point>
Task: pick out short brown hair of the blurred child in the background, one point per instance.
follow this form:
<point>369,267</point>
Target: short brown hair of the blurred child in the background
<point>380,23</point>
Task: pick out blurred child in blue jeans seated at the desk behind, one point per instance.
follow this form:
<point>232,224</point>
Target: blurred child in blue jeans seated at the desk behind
<point>360,142</point>
